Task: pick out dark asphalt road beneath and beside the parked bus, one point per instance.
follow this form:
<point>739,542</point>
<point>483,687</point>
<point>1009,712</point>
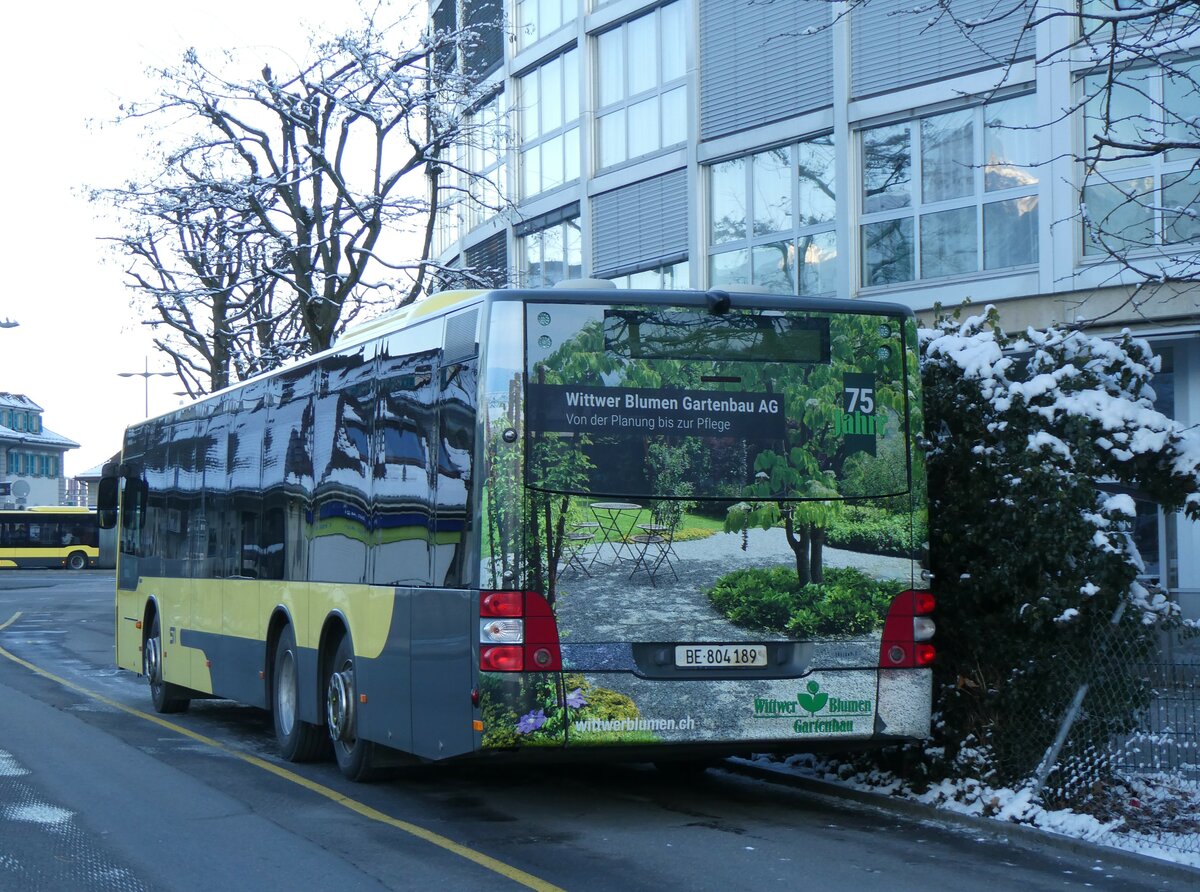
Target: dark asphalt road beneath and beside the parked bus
<point>98,793</point>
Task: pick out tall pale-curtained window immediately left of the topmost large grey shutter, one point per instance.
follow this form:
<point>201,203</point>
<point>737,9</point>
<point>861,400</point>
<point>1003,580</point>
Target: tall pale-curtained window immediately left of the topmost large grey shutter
<point>643,86</point>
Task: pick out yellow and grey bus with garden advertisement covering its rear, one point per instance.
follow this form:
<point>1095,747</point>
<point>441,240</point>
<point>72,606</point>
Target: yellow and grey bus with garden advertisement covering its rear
<point>491,524</point>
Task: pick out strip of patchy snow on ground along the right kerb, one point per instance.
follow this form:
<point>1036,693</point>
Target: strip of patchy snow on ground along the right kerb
<point>1156,819</point>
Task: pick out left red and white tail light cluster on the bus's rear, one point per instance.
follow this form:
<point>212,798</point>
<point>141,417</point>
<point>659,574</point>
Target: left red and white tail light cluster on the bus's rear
<point>518,633</point>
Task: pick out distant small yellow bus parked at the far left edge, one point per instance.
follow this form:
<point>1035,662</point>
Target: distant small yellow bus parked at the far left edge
<point>50,537</point>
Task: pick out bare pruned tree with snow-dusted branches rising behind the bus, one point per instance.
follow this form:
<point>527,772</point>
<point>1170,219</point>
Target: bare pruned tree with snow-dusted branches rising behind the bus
<point>286,203</point>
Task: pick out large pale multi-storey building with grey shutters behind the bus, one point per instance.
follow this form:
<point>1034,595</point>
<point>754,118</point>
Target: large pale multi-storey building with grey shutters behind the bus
<point>835,148</point>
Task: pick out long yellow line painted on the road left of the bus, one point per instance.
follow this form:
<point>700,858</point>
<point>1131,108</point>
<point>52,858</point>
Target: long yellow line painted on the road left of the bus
<point>429,836</point>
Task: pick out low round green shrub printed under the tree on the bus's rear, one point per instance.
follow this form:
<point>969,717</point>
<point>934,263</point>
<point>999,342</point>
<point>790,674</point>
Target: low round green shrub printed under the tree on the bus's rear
<point>847,603</point>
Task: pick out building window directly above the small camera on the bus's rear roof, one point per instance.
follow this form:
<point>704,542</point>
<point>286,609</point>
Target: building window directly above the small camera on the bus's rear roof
<point>772,219</point>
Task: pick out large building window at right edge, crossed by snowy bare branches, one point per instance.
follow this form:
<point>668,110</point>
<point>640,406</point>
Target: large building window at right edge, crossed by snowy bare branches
<point>1132,199</point>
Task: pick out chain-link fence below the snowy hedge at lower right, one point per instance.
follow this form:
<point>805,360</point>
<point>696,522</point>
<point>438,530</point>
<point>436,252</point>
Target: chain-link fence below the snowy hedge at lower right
<point>1125,747</point>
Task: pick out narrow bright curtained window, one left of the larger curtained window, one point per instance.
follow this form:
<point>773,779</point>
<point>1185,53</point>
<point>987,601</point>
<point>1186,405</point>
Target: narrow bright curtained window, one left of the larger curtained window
<point>550,124</point>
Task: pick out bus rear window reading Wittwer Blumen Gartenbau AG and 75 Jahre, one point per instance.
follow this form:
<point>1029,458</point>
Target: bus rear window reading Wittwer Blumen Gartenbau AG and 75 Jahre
<point>676,403</point>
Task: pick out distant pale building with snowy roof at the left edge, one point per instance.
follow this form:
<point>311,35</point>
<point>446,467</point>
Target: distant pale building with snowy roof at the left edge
<point>31,456</point>
